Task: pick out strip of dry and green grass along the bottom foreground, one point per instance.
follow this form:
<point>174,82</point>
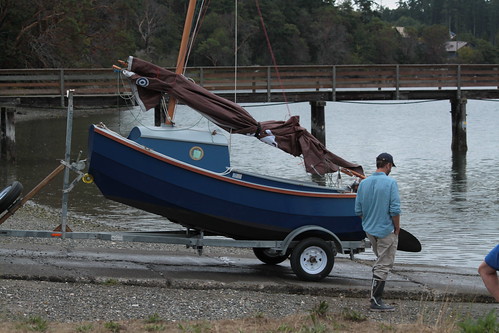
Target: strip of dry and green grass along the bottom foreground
<point>318,320</point>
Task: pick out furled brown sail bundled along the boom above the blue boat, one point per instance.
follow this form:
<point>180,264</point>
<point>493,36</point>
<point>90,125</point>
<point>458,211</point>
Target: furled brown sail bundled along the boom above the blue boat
<point>149,81</point>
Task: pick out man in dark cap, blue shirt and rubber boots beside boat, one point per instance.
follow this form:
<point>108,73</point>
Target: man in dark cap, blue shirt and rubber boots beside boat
<point>378,205</point>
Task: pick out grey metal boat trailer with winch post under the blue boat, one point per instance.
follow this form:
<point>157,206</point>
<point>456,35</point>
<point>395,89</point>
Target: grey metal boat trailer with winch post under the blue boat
<point>311,249</point>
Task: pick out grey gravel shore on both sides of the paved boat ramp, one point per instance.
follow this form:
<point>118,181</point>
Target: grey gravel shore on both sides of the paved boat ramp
<point>78,302</point>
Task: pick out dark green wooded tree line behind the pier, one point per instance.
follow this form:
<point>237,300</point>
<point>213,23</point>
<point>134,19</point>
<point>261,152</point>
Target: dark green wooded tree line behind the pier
<point>95,33</point>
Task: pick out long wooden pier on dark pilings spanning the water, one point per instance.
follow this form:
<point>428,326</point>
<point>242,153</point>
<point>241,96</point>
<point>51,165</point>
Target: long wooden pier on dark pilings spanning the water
<point>102,88</point>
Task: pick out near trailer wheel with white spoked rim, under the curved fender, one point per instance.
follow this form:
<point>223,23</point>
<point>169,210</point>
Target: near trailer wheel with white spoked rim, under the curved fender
<point>312,259</point>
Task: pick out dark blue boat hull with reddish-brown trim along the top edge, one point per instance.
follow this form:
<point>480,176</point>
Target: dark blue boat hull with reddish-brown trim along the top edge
<point>233,204</point>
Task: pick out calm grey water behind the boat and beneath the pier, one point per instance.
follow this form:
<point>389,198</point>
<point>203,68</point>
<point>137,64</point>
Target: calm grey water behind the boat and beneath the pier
<point>451,203</point>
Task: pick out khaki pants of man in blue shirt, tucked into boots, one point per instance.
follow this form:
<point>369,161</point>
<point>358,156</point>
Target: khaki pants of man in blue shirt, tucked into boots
<point>384,249</point>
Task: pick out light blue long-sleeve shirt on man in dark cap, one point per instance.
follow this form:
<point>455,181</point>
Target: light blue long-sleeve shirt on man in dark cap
<point>377,201</point>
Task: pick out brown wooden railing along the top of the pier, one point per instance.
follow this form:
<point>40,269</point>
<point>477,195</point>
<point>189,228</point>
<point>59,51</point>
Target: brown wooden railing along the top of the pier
<point>103,81</point>
